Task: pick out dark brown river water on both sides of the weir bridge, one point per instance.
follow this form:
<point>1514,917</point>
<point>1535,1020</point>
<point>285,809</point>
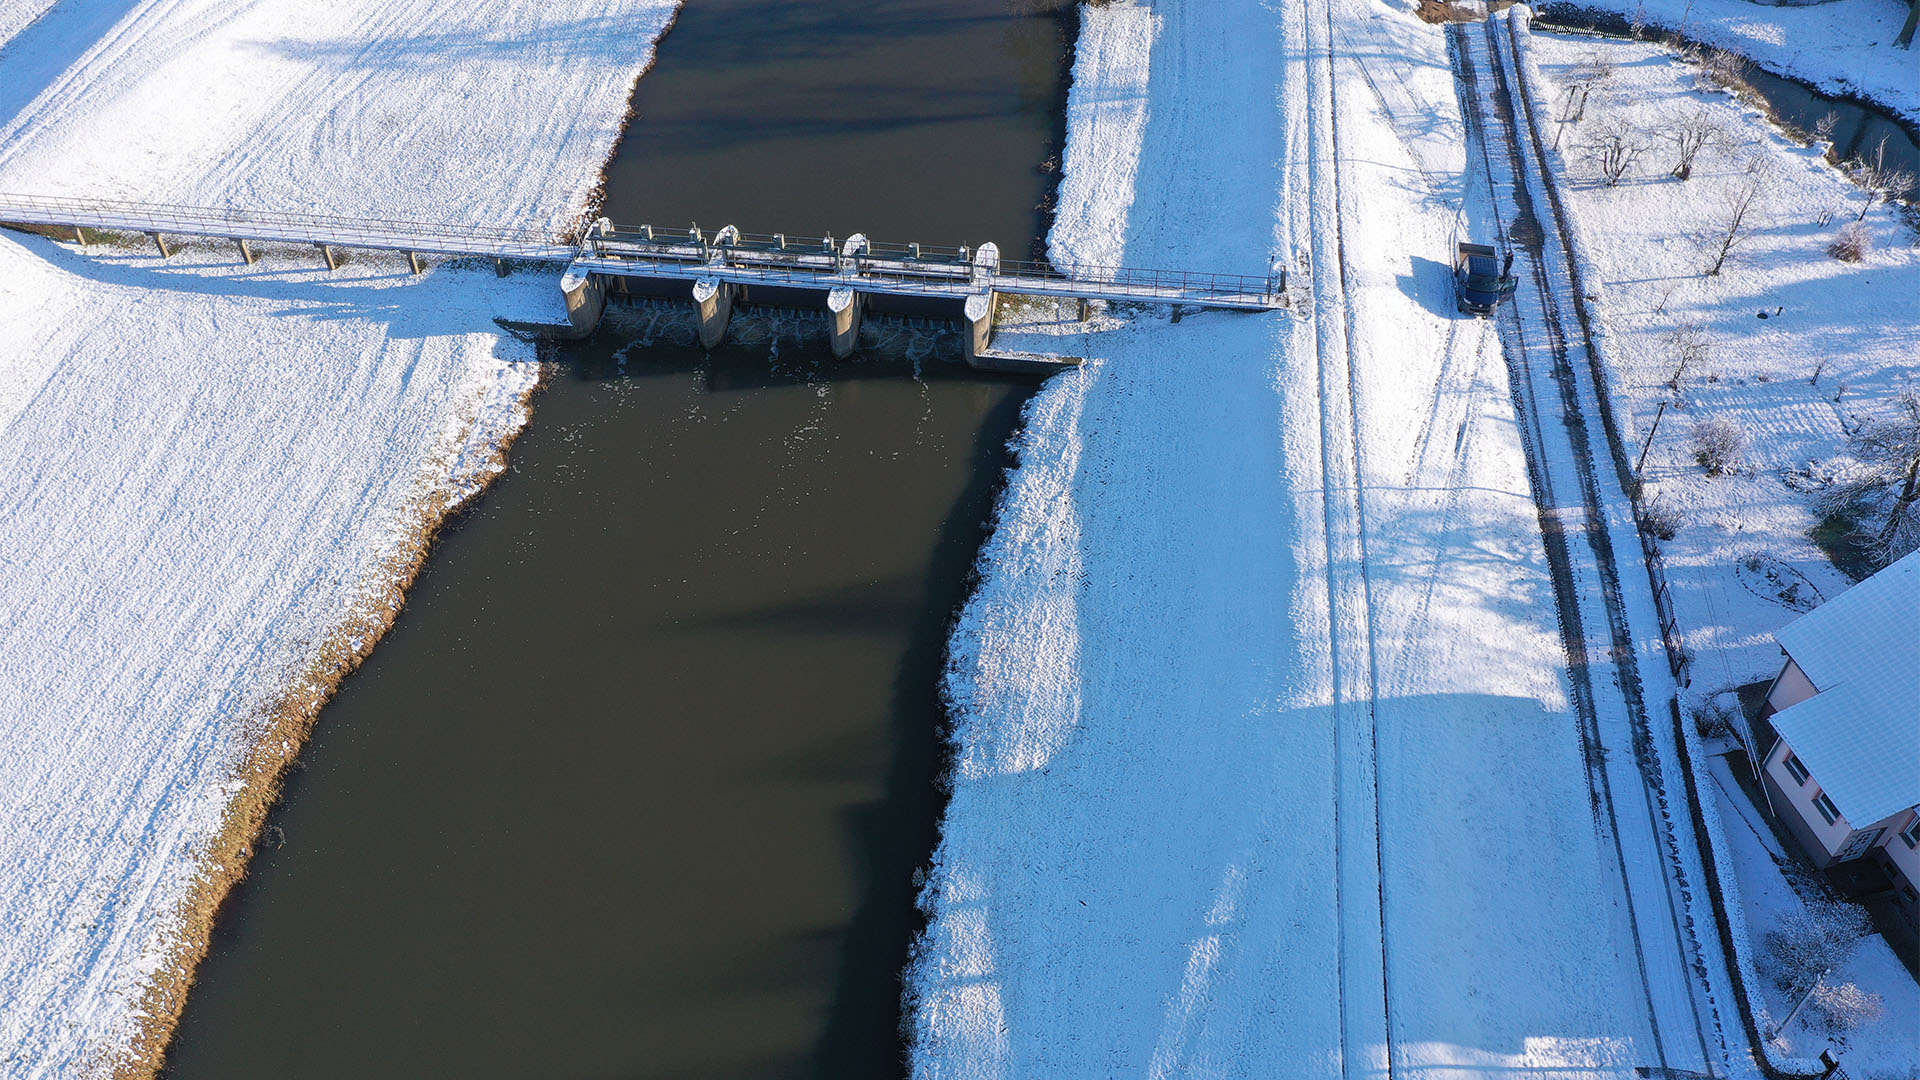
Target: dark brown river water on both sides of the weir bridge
<point>640,781</point>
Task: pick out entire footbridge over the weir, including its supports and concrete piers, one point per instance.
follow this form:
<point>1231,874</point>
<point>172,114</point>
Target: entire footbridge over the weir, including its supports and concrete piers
<point>715,270</point>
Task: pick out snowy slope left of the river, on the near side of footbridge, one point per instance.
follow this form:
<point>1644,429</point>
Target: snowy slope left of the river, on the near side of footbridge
<point>195,497</point>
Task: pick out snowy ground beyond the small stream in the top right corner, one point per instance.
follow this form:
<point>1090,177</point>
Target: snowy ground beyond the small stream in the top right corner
<point>1844,47</point>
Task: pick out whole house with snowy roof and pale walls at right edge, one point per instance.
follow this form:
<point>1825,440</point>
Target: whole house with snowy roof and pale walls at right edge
<point>1844,772</point>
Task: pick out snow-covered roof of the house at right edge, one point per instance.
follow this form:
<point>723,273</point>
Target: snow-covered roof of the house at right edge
<point>1860,735</point>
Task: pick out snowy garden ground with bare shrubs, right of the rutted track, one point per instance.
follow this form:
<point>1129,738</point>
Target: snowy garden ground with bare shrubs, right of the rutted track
<point>1838,343</point>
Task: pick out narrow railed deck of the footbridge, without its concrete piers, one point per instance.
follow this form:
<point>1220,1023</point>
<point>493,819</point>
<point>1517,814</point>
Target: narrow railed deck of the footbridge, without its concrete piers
<point>775,260</point>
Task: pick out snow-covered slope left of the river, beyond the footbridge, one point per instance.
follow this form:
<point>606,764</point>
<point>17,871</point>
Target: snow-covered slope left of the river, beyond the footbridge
<point>492,112</point>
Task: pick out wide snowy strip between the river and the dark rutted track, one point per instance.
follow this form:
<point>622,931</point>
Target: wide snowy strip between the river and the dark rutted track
<point>1264,752</point>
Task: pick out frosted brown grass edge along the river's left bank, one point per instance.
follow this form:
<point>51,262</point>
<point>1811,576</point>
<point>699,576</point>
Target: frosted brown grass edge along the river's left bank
<point>279,731</point>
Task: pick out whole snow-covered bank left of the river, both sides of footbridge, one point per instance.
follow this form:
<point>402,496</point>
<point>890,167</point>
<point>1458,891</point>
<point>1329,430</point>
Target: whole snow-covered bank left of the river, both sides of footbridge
<point>216,478</point>
